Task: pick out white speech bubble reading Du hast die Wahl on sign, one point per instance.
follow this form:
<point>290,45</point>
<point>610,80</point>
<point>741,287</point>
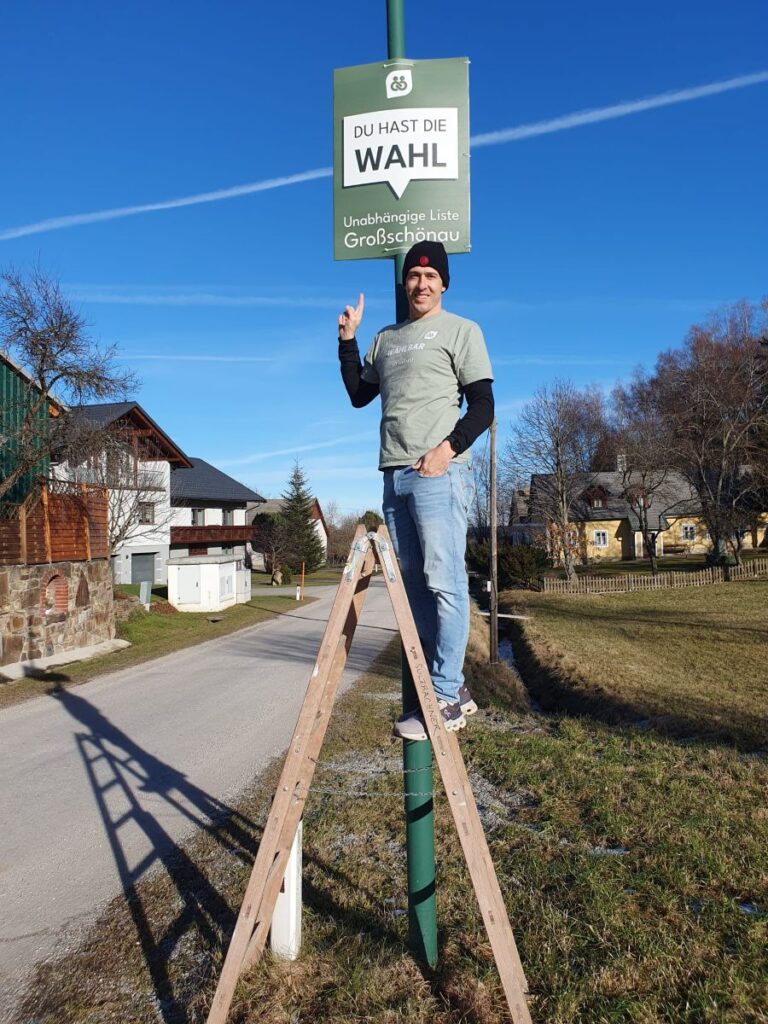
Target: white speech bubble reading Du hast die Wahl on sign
<point>401,146</point>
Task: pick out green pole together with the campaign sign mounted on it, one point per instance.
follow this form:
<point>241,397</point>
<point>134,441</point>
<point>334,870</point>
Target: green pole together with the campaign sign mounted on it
<point>402,177</point>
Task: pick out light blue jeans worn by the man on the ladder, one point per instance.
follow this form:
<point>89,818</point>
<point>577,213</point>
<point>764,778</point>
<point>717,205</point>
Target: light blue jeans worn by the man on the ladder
<point>426,518</point>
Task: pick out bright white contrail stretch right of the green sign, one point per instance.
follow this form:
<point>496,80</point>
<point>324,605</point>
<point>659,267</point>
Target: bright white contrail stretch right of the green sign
<point>618,111</point>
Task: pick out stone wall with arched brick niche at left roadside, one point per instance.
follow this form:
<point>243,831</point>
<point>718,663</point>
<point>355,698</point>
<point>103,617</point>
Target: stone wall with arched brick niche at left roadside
<point>47,610</point>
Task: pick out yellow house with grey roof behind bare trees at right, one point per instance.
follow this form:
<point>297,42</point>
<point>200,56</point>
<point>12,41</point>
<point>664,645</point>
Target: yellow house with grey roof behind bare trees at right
<point>607,527</point>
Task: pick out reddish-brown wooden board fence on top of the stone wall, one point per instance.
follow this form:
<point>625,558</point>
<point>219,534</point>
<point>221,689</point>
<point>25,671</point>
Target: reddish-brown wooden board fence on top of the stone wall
<point>59,522</point>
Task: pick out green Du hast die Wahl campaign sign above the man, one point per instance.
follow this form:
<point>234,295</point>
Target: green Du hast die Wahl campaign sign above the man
<point>401,157</point>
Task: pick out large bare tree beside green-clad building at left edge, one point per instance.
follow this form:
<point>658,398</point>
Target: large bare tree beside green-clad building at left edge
<point>47,337</point>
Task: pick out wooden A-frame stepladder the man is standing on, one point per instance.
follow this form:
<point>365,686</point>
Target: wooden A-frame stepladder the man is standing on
<point>255,917</point>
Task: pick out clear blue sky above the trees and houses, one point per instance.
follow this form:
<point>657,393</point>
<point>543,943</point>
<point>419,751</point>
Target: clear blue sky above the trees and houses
<point>594,246</point>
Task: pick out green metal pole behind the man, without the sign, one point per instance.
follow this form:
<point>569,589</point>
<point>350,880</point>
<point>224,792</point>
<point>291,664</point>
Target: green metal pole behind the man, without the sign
<point>417,755</point>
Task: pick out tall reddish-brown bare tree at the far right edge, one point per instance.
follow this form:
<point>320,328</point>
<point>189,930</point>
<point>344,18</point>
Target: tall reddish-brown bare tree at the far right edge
<point>712,396</point>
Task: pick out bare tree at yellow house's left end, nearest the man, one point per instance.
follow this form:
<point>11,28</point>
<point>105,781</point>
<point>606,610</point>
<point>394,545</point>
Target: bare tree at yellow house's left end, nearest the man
<point>554,443</point>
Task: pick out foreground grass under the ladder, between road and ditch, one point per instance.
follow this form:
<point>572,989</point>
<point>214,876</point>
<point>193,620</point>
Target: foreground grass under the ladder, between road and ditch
<point>633,866</point>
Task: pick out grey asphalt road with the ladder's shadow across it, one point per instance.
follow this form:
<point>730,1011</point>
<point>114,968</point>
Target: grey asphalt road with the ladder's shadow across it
<point>101,781</point>
